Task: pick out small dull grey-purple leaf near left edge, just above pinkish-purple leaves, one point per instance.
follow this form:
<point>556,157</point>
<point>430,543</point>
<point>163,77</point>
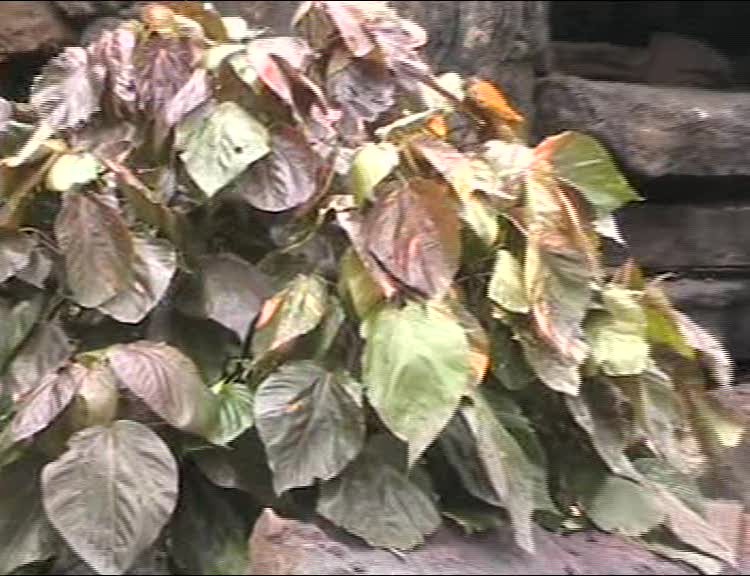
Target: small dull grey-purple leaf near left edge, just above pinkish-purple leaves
<point>45,350</point>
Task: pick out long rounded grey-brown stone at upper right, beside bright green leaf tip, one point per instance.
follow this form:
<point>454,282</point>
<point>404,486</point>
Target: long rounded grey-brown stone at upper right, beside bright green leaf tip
<point>653,131</point>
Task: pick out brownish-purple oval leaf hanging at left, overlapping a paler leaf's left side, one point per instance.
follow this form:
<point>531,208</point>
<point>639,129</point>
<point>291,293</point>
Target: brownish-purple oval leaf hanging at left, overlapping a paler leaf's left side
<point>98,249</point>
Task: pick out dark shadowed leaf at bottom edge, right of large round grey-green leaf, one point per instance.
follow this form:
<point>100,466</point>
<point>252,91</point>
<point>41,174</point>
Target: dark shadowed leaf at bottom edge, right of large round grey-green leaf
<point>204,514</point>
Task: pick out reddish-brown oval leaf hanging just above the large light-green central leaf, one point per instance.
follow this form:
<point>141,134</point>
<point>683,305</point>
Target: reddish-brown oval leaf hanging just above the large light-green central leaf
<point>413,233</point>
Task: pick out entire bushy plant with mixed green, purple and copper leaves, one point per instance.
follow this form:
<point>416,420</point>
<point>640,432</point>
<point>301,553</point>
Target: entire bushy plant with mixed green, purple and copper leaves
<point>307,273</point>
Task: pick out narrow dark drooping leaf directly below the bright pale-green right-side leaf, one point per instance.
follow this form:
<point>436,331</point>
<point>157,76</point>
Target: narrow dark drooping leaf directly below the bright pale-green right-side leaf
<point>595,410</point>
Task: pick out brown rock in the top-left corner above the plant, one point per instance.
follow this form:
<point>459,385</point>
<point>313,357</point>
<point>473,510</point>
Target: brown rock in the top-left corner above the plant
<point>30,27</point>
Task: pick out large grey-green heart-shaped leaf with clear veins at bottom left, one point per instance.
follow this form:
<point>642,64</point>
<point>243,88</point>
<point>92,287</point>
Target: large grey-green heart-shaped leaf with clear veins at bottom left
<point>111,493</point>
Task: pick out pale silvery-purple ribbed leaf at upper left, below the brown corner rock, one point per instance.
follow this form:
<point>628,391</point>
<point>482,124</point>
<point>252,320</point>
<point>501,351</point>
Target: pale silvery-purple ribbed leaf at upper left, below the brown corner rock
<point>67,92</point>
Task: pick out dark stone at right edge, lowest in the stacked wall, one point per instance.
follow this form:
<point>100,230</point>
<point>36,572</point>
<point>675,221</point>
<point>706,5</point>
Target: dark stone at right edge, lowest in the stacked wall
<point>722,306</point>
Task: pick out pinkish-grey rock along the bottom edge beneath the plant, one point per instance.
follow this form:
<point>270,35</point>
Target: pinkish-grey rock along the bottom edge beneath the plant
<point>283,546</point>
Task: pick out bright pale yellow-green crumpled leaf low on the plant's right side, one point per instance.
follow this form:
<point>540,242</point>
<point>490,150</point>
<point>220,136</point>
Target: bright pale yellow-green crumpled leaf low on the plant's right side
<point>617,336</point>
